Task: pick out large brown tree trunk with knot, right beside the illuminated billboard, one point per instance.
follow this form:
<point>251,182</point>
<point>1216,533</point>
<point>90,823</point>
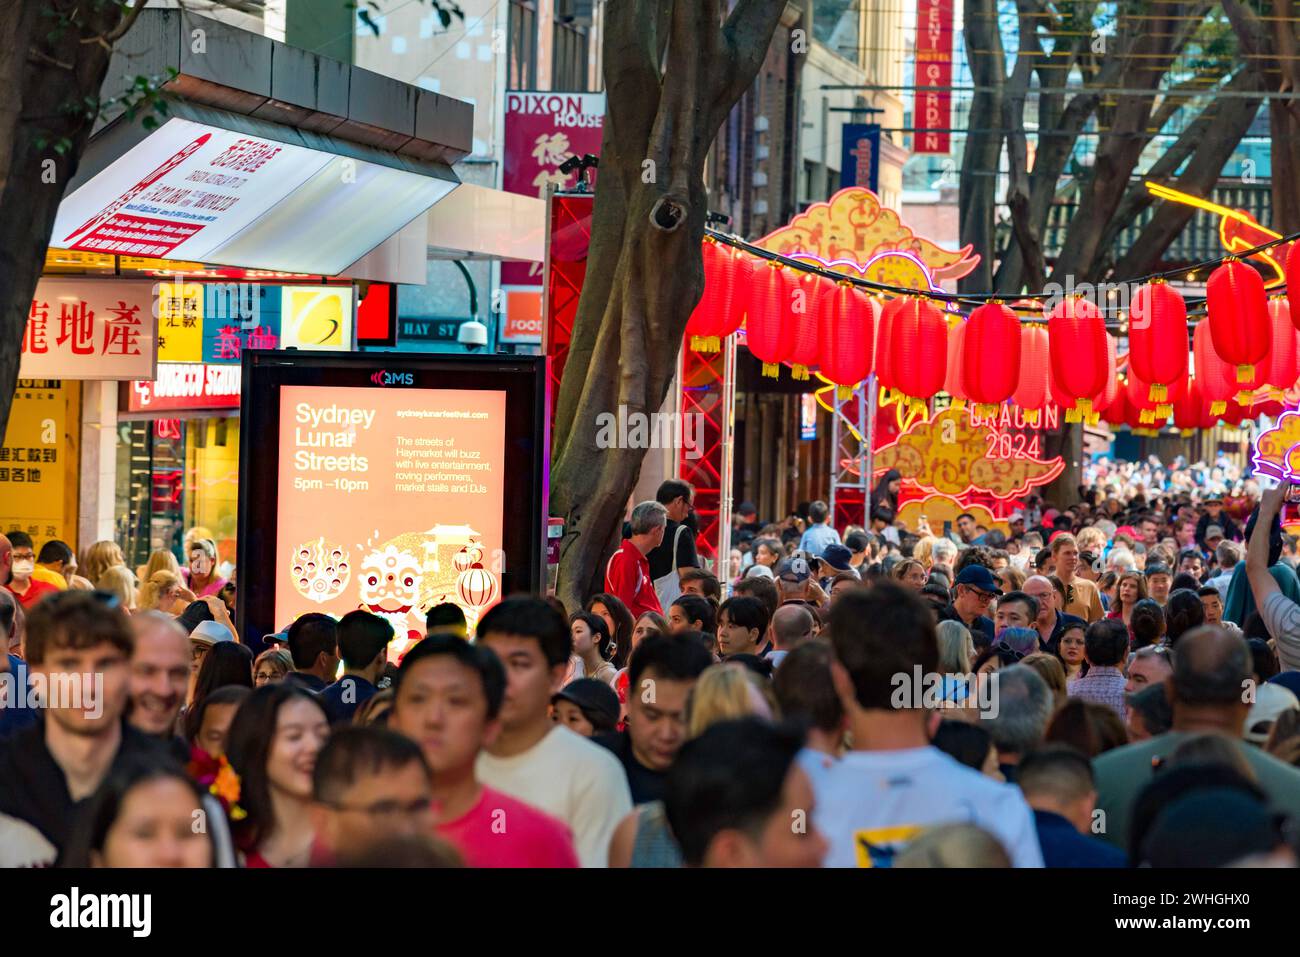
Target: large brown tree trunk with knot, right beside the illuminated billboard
<point>674,71</point>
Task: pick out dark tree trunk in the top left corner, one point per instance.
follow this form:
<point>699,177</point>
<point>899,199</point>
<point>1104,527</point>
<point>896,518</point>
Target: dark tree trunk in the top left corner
<point>50,73</point>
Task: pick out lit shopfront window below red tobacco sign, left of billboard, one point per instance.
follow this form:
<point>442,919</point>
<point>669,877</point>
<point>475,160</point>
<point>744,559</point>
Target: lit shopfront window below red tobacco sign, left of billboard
<point>176,475</point>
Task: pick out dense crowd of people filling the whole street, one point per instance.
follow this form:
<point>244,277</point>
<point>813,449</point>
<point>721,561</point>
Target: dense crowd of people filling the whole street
<point>1107,685</point>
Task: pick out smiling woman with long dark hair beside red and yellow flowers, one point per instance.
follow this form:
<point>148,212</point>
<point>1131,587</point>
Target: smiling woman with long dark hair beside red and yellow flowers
<point>274,743</point>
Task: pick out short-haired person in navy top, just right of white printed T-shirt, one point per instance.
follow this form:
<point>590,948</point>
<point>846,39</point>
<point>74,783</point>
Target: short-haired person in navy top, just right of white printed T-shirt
<point>1058,785</point>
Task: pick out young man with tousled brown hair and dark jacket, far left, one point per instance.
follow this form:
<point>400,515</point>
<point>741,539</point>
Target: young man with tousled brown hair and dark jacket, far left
<point>47,769</point>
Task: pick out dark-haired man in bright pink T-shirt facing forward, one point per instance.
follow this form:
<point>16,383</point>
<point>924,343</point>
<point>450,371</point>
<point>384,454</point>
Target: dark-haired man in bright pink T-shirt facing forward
<point>448,696</point>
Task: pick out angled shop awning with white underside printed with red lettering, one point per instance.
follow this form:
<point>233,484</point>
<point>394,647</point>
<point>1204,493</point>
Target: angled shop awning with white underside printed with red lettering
<point>272,158</point>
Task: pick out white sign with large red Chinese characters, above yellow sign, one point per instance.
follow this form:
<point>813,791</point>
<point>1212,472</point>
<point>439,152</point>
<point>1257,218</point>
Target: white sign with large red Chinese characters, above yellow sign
<point>86,330</point>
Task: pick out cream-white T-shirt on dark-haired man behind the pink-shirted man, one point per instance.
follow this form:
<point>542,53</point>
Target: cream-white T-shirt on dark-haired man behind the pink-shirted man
<point>569,778</point>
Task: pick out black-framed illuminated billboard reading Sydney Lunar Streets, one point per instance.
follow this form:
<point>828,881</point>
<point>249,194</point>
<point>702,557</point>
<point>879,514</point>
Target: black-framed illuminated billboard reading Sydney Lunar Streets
<point>391,484</point>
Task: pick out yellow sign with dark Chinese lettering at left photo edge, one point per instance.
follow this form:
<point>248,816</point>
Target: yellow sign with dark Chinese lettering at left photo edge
<point>33,462</point>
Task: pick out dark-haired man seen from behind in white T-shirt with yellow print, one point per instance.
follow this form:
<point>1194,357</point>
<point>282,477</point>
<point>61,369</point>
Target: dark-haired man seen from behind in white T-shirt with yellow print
<point>895,783</point>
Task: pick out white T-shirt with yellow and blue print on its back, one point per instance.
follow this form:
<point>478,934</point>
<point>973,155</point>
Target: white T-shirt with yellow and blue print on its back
<point>872,804</point>
